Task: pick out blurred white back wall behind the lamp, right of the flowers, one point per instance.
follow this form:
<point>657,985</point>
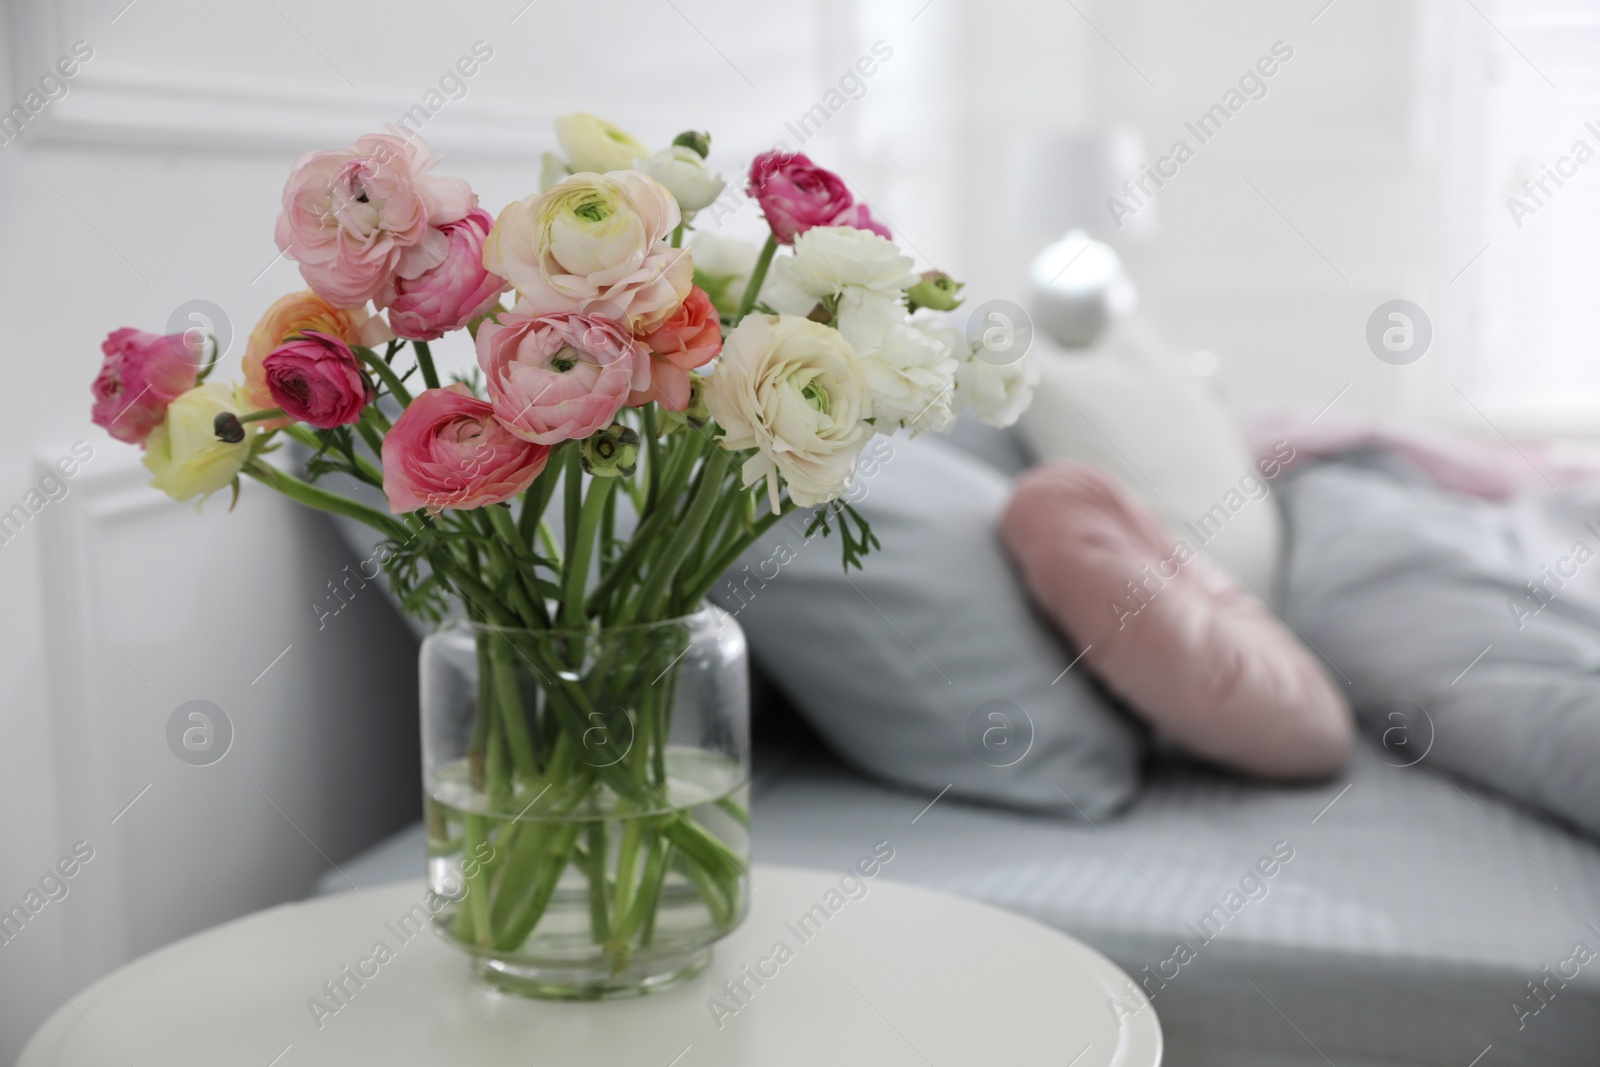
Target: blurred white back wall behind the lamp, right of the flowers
<point>1356,146</point>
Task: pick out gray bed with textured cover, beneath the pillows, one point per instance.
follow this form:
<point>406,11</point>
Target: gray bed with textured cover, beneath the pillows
<point>1390,917</point>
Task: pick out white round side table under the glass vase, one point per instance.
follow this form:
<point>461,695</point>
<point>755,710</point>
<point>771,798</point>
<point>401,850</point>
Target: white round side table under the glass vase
<point>898,977</point>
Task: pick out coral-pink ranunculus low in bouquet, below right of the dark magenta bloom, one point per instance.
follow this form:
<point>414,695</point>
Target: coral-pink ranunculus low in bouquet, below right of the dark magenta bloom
<point>449,450</point>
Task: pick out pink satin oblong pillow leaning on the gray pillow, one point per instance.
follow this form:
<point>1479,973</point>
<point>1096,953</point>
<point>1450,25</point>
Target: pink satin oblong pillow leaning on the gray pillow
<point>1169,633</point>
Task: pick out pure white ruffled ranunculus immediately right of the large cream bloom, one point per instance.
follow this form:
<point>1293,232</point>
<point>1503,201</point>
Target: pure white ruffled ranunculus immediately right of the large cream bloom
<point>910,370</point>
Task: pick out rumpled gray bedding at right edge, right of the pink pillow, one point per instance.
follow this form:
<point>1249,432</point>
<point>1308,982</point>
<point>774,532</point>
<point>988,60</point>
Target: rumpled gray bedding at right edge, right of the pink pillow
<point>1418,597</point>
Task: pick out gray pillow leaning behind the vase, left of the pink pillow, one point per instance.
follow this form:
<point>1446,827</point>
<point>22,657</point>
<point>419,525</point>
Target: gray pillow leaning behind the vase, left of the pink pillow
<point>929,668</point>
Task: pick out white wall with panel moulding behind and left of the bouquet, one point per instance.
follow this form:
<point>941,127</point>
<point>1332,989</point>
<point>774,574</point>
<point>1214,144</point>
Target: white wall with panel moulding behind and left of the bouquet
<point>156,182</point>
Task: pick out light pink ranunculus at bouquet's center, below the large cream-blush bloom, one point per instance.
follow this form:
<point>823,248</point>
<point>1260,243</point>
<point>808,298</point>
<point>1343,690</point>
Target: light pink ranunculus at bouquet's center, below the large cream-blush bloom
<point>559,378</point>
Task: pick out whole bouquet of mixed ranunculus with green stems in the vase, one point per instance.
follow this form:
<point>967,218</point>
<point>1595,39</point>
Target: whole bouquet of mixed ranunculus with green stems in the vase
<point>670,402</point>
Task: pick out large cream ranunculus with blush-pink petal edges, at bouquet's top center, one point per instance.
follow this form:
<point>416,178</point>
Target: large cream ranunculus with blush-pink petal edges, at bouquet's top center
<point>594,246</point>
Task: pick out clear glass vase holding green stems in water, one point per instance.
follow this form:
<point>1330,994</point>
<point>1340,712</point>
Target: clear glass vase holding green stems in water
<point>588,801</point>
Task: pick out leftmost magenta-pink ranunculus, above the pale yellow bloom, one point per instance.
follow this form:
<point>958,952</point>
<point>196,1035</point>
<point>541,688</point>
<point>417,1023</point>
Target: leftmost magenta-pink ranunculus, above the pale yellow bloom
<point>142,375</point>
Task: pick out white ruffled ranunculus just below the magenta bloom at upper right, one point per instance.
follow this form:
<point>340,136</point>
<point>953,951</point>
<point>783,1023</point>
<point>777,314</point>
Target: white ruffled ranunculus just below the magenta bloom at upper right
<point>831,258</point>
